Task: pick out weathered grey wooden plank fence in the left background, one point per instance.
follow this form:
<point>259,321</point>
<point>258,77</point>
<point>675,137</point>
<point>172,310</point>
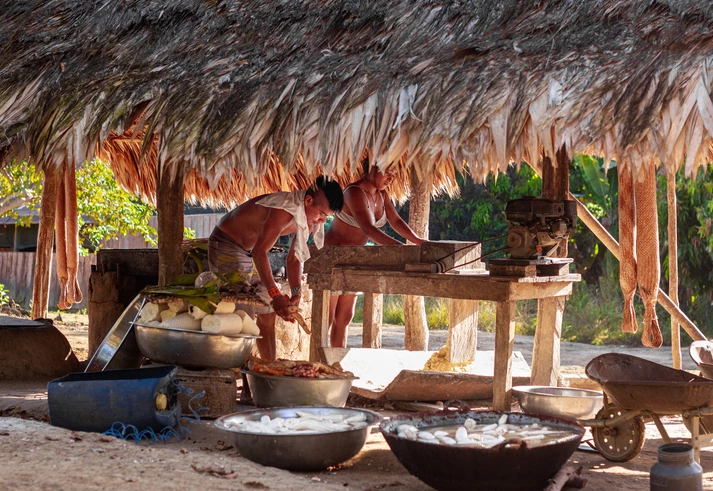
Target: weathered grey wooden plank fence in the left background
<point>17,269</point>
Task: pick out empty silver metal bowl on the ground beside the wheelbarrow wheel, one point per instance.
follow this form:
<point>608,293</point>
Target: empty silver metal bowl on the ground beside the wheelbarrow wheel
<point>559,401</point>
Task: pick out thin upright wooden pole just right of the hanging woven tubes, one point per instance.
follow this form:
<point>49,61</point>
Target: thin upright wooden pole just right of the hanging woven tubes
<point>673,266</point>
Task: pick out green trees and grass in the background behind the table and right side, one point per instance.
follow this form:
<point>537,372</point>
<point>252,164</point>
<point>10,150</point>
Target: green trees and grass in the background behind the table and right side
<point>593,312</point>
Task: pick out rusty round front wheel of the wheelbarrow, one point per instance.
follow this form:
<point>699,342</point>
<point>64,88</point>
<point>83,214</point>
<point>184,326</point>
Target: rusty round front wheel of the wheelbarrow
<point>622,442</point>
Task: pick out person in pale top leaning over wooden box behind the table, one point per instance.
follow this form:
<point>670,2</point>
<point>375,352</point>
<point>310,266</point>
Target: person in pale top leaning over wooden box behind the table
<point>367,208</point>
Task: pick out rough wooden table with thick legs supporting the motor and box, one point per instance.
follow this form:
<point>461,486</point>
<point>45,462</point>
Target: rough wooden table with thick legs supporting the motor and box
<point>467,285</point>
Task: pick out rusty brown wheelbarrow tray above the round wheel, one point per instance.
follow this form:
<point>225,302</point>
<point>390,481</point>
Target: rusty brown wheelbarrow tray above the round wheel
<point>637,384</point>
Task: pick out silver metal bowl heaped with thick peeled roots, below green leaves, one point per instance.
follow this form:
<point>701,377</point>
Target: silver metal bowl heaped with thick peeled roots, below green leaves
<point>196,349</point>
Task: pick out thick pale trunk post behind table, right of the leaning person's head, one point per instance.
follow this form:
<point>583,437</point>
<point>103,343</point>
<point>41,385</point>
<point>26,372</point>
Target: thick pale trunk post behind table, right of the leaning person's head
<point>416,338</point>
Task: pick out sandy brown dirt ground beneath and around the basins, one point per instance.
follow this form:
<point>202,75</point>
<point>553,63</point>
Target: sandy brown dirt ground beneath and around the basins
<point>38,456</point>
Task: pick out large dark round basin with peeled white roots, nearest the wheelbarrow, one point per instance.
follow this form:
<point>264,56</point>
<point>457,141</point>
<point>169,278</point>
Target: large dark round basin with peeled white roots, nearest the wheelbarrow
<point>469,468</point>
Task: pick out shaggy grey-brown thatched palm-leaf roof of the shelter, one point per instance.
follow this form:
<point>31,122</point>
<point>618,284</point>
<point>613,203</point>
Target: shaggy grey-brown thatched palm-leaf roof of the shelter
<point>231,86</point>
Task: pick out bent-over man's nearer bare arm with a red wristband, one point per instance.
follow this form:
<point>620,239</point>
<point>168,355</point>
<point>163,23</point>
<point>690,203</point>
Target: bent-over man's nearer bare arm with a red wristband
<point>275,223</point>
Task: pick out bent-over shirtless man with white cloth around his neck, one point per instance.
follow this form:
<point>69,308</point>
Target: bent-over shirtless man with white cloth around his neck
<point>245,235</point>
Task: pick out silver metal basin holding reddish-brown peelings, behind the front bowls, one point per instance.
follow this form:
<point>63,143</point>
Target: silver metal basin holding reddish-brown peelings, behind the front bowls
<point>276,391</point>
